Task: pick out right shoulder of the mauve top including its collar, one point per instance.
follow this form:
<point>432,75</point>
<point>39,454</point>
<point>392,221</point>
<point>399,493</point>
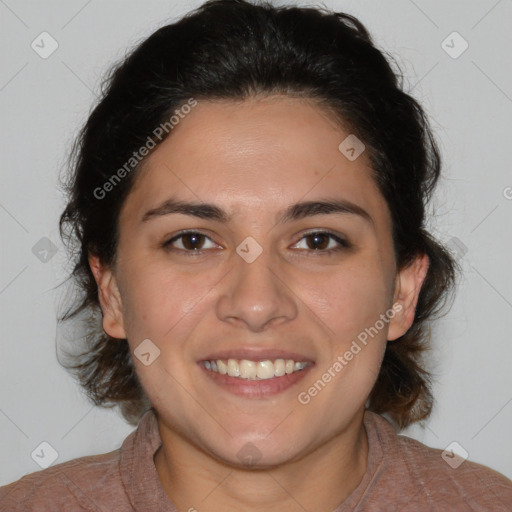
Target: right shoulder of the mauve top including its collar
<point>436,478</point>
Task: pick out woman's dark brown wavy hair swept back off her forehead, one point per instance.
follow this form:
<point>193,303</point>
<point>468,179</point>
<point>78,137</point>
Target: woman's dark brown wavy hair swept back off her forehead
<point>232,49</point>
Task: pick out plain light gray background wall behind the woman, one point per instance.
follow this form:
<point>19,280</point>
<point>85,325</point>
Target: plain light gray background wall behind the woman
<point>44,101</point>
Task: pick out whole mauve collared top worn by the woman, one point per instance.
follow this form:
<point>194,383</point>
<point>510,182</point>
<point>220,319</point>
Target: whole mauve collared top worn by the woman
<point>402,475</point>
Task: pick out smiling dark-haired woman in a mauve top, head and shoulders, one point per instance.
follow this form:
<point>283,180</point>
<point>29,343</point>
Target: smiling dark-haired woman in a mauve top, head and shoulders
<point>248,200</point>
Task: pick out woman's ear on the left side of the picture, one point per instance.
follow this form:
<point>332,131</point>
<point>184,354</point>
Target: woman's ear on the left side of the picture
<point>110,298</point>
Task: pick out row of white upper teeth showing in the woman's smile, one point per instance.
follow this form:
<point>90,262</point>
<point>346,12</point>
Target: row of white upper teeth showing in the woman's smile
<point>252,370</point>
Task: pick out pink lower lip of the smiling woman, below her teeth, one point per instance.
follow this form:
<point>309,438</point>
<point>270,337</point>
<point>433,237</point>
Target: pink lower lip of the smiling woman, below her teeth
<point>256,388</point>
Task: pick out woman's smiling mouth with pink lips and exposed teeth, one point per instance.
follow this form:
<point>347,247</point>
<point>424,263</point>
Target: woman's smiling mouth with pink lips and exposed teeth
<point>258,375</point>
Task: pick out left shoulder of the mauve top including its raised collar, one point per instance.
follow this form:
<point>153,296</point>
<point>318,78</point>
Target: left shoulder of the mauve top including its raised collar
<point>110,481</point>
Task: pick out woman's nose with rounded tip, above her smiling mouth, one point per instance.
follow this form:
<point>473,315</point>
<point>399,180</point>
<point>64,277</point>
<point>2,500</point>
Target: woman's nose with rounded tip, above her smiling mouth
<point>256,294</point>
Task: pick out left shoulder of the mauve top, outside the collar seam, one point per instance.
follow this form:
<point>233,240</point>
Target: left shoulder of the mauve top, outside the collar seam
<point>80,484</point>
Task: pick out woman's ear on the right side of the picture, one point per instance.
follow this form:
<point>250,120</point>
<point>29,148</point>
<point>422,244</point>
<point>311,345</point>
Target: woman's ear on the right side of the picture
<point>407,290</point>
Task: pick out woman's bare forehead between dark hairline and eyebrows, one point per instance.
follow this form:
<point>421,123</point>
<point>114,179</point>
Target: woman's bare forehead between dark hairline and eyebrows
<point>261,153</point>
